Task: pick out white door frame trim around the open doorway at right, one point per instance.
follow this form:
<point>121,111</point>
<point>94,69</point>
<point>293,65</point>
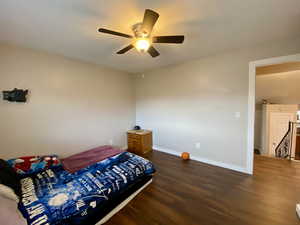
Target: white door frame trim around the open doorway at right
<point>251,100</point>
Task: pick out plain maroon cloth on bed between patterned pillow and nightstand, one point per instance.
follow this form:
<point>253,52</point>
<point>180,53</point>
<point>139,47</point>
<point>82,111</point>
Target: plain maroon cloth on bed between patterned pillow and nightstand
<point>90,157</point>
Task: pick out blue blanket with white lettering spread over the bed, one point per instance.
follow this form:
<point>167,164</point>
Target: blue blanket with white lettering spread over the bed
<point>54,195</point>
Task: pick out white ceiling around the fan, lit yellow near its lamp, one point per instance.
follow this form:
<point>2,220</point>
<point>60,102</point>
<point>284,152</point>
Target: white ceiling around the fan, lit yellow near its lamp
<point>69,27</point>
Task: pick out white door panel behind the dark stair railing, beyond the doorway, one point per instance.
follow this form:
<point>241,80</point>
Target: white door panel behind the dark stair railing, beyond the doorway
<point>279,124</point>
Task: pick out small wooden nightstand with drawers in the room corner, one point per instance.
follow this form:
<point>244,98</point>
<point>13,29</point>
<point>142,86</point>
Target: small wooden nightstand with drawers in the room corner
<point>139,141</point>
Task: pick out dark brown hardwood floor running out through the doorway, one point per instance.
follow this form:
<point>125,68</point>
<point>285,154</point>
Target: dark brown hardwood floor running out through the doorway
<point>195,193</point>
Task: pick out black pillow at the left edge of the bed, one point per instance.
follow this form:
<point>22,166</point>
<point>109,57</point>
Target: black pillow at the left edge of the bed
<point>9,178</point>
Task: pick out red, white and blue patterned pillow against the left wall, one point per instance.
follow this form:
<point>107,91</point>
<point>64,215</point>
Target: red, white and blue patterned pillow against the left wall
<point>33,164</point>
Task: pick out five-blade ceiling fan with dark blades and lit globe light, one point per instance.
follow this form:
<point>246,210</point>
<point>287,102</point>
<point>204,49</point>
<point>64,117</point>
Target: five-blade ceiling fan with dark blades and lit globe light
<point>142,39</point>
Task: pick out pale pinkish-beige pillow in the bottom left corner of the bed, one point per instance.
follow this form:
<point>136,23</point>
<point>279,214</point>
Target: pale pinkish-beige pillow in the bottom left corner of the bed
<point>10,215</point>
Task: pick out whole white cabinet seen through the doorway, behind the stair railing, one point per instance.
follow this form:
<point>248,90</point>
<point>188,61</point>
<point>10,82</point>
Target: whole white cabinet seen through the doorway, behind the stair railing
<point>276,118</point>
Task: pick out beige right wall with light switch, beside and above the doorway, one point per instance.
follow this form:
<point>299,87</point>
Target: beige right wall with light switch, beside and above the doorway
<point>198,101</point>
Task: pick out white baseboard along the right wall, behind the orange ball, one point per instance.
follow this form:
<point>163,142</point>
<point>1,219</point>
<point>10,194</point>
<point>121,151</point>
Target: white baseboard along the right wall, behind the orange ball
<point>203,160</point>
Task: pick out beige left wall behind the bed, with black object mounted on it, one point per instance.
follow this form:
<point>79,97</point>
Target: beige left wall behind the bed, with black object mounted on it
<point>72,105</point>
